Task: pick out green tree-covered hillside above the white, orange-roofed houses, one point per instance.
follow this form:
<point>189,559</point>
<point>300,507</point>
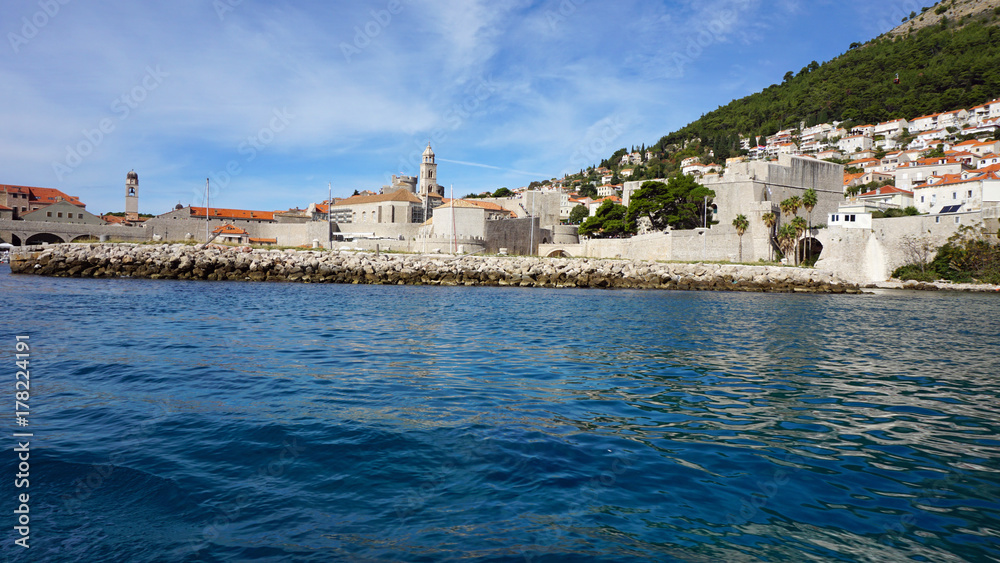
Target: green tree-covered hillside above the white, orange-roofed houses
<point>952,65</point>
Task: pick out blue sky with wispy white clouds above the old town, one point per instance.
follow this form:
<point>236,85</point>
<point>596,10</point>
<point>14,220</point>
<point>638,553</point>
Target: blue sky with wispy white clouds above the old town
<point>271,101</point>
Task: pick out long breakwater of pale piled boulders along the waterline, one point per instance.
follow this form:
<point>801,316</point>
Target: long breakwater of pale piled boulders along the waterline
<point>187,262</point>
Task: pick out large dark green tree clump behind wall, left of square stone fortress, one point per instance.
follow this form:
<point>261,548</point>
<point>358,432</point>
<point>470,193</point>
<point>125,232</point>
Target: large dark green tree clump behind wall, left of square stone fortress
<point>680,203</point>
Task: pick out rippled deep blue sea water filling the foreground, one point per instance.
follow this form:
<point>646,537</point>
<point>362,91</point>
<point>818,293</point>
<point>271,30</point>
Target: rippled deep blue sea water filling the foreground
<point>200,421</point>
